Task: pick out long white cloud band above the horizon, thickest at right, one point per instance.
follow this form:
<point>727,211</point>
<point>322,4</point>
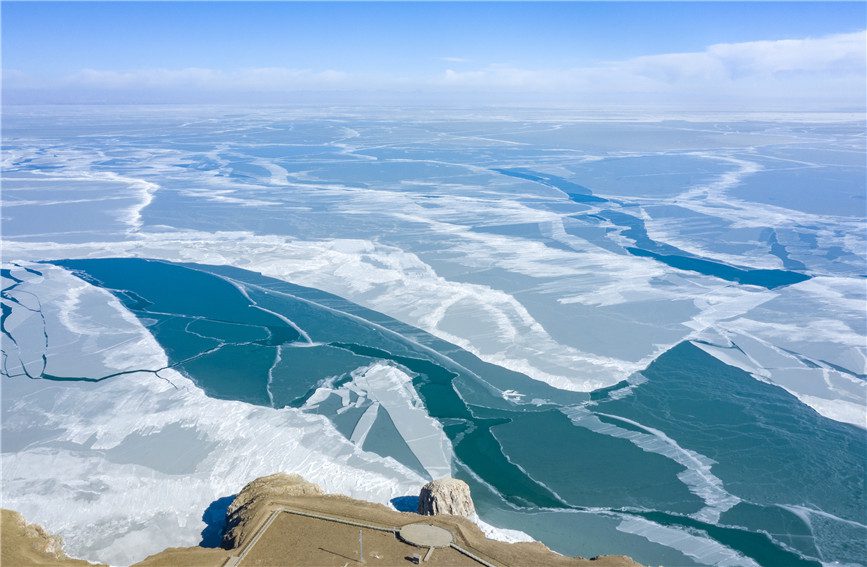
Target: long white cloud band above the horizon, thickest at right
<point>829,70</point>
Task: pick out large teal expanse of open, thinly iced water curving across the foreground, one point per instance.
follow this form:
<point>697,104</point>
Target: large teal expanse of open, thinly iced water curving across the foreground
<point>521,458</point>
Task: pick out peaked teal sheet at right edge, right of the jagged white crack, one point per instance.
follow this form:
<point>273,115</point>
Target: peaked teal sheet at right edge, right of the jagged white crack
<point>770,449</point>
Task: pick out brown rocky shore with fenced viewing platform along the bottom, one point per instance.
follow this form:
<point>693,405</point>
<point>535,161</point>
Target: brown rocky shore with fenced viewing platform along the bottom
<point>277,520</point>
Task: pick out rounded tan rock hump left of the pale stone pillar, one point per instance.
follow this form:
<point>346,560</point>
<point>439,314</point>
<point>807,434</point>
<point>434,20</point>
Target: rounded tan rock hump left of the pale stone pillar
<point>251,502</point>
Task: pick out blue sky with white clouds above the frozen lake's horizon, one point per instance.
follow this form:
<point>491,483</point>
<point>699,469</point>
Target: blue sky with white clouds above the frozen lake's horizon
<point>706,55</point>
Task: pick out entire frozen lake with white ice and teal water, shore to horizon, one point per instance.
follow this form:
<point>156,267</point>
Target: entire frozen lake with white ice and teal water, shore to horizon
<point>649,332</point>
